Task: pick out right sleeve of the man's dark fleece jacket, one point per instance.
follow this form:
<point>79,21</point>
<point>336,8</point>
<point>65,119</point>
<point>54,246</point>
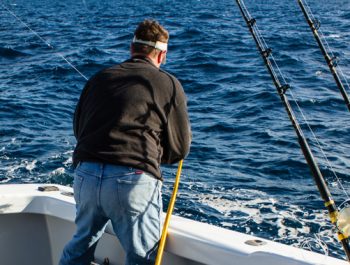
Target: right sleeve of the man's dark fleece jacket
<point>178,131</point>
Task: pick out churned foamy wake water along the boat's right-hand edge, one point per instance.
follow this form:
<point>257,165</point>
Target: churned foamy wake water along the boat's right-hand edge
<point>258,214</point>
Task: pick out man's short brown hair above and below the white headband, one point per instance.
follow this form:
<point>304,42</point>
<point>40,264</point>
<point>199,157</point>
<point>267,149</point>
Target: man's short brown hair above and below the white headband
<point>149,30</point>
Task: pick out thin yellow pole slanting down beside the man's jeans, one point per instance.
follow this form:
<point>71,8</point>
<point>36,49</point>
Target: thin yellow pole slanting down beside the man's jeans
<point>168,215</point>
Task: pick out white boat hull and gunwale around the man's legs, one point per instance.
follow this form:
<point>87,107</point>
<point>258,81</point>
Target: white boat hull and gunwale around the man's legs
<point>36,225</point>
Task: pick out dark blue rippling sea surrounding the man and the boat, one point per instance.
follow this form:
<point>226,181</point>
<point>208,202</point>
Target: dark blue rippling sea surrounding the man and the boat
<point>245,171</point>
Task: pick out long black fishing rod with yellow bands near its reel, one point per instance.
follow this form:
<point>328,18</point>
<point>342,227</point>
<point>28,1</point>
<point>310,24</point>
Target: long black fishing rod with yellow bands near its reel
<point>281,89</point>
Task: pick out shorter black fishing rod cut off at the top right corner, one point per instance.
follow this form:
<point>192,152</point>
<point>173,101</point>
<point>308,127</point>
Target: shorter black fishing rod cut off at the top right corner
<point>331,61</point>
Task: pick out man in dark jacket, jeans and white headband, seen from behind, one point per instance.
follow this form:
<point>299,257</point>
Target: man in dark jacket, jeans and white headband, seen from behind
<point>130,118</point>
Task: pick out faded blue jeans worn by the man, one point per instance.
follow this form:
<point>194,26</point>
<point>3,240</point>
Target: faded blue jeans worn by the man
<point>130,198</point>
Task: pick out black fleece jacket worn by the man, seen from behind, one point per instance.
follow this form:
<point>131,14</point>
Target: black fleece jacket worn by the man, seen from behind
<point>132,114</point>
